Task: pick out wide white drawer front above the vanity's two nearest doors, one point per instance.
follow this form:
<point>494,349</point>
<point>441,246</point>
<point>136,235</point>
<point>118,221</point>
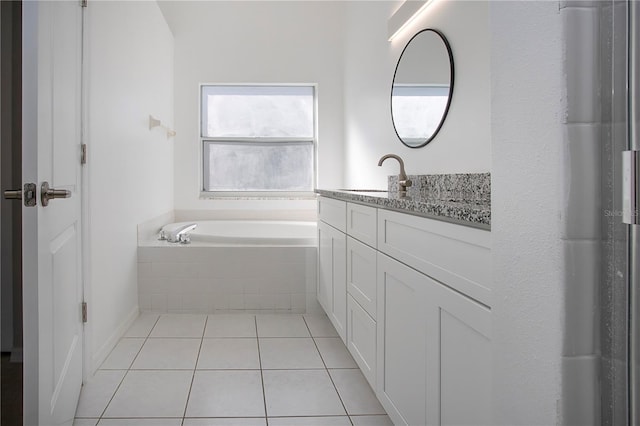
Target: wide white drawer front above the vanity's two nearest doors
<point>457,255</point>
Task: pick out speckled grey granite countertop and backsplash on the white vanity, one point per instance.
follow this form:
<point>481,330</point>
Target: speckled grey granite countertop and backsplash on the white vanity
<point>459,198</point>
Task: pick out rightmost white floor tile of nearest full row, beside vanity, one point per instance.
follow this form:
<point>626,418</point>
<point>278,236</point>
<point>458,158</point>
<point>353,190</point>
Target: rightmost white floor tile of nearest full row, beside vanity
<point>356,394</point>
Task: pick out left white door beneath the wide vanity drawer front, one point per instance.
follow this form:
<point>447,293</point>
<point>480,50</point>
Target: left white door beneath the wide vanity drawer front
<point>402,342</point>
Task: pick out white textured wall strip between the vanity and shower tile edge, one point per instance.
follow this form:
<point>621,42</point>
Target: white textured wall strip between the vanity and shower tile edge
<point>527,112</point>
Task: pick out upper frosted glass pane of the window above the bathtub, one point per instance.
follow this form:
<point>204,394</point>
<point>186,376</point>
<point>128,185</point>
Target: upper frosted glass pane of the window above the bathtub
<point>258,111</point>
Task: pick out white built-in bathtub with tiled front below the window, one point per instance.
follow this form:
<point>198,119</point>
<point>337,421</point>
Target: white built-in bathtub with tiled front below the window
<point>231,266</point>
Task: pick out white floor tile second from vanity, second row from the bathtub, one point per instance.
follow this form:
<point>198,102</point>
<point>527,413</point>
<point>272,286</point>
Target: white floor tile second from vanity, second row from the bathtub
<point>289,353</point>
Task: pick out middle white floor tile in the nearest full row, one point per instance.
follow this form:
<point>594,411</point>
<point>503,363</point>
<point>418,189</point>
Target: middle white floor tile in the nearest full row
<point>226,394</point>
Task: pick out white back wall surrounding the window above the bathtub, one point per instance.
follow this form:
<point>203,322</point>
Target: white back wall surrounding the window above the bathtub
<point>255,42</point>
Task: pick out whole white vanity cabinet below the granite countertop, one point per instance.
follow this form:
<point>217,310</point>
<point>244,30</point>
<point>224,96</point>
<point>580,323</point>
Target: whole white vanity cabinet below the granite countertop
<point>416,315</point>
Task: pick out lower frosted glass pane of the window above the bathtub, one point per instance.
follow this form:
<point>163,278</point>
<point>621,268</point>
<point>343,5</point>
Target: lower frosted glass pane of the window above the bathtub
<point>249,166</point>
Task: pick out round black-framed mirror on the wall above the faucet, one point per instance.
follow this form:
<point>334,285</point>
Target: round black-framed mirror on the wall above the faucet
<point>422,88</point>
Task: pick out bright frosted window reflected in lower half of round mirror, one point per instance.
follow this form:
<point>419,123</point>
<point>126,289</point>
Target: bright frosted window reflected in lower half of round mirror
<point>418,111</point>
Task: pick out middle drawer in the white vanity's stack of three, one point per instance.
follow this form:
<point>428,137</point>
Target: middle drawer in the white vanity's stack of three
<point>361,274</point>
